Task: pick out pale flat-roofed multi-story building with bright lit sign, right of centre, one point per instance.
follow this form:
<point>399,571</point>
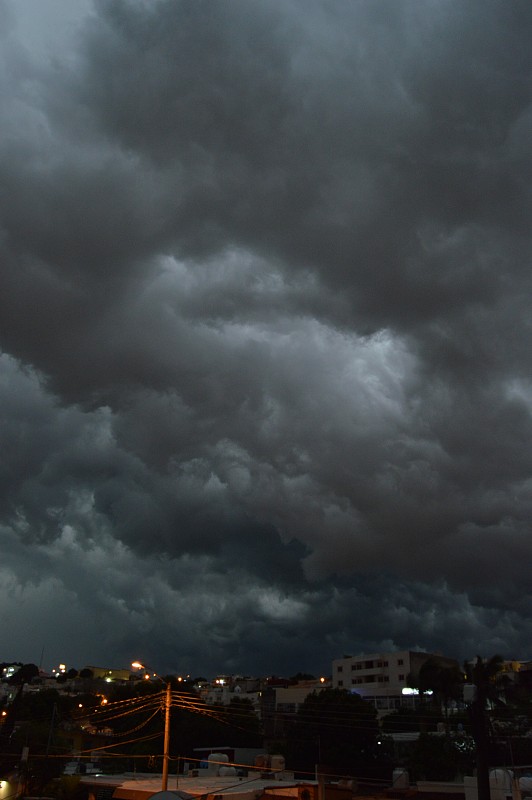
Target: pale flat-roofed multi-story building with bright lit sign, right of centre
<point>381,677</point>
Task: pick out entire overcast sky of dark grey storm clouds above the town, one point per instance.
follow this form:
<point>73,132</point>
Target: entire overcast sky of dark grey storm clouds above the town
<point>266,361</point>
